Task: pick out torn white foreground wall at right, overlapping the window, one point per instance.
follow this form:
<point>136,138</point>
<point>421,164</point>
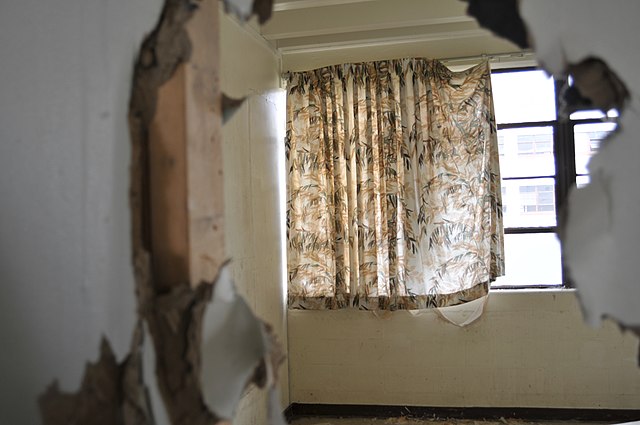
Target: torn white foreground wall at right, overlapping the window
<point>597,42</point>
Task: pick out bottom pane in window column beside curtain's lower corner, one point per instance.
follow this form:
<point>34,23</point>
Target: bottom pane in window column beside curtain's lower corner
<point>531,259</point>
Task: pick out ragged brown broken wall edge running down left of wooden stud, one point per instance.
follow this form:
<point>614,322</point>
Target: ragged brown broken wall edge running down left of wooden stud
<point>173,317</point>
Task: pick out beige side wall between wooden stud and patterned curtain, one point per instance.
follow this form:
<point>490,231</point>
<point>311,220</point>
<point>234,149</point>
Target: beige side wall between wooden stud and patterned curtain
<point>253,154</point>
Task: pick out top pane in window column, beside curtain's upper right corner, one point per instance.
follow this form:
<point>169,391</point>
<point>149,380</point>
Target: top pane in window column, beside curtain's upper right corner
<point>523,96</point>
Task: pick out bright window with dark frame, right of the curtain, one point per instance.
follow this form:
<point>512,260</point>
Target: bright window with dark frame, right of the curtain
<point>541,156</point>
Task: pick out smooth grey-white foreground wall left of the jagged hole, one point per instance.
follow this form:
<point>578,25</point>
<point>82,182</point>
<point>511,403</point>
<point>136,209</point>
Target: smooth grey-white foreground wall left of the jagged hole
<point>64,224</point>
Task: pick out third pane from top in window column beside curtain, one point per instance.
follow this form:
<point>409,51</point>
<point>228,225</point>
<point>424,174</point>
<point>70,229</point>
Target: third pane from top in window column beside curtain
<point>529,202</point>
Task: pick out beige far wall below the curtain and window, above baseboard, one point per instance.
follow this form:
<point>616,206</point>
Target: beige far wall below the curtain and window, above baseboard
<point>529,349</point>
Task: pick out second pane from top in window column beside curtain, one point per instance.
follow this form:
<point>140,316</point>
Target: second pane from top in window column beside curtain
<point>527,152</point>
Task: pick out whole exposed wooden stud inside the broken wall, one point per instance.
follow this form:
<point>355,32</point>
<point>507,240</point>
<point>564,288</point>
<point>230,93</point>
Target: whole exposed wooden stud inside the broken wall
<point>185,163</point>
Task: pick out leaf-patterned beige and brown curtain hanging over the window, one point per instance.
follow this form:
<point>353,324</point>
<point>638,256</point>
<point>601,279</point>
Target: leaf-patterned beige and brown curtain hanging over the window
<point>393,194</point>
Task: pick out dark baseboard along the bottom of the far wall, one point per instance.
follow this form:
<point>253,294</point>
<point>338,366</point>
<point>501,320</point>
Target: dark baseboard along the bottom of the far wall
<point>299,410</point>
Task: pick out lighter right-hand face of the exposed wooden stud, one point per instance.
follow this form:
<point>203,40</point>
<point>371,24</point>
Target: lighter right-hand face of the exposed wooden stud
<point>204,147</point>
